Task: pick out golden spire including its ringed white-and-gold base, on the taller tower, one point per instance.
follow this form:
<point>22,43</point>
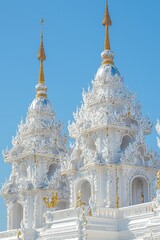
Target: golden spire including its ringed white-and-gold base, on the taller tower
<point>107,54</point>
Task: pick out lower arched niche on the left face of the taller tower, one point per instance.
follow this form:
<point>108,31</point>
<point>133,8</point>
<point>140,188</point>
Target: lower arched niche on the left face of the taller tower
<point>85,190</point>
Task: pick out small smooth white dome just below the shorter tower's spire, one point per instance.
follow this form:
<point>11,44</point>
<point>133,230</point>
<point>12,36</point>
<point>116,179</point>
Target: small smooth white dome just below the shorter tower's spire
<point>41,105</point>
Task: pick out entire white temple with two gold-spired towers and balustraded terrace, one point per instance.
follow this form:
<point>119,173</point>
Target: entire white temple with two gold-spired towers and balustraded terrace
<point>106,186</point>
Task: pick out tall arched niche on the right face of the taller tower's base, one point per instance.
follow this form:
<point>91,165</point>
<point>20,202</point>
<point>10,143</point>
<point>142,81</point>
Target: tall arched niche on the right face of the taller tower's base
<point>139,188</point>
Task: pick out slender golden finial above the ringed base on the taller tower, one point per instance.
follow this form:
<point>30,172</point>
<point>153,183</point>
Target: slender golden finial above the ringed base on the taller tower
<point>107,22</point>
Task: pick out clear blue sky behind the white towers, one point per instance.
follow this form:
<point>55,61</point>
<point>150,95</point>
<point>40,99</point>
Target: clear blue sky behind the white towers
<point>73,40</point>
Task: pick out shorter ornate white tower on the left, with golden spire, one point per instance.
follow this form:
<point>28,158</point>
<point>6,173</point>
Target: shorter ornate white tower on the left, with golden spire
<point>35,157</point>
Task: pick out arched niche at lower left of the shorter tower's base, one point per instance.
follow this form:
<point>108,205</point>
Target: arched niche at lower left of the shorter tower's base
<point>17,215</point>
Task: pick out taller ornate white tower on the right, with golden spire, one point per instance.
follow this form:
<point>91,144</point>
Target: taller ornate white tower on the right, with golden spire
<point>110,164</point>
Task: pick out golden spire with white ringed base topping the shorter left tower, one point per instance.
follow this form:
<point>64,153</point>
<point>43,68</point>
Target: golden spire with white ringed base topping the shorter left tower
<point>41,87</point>
